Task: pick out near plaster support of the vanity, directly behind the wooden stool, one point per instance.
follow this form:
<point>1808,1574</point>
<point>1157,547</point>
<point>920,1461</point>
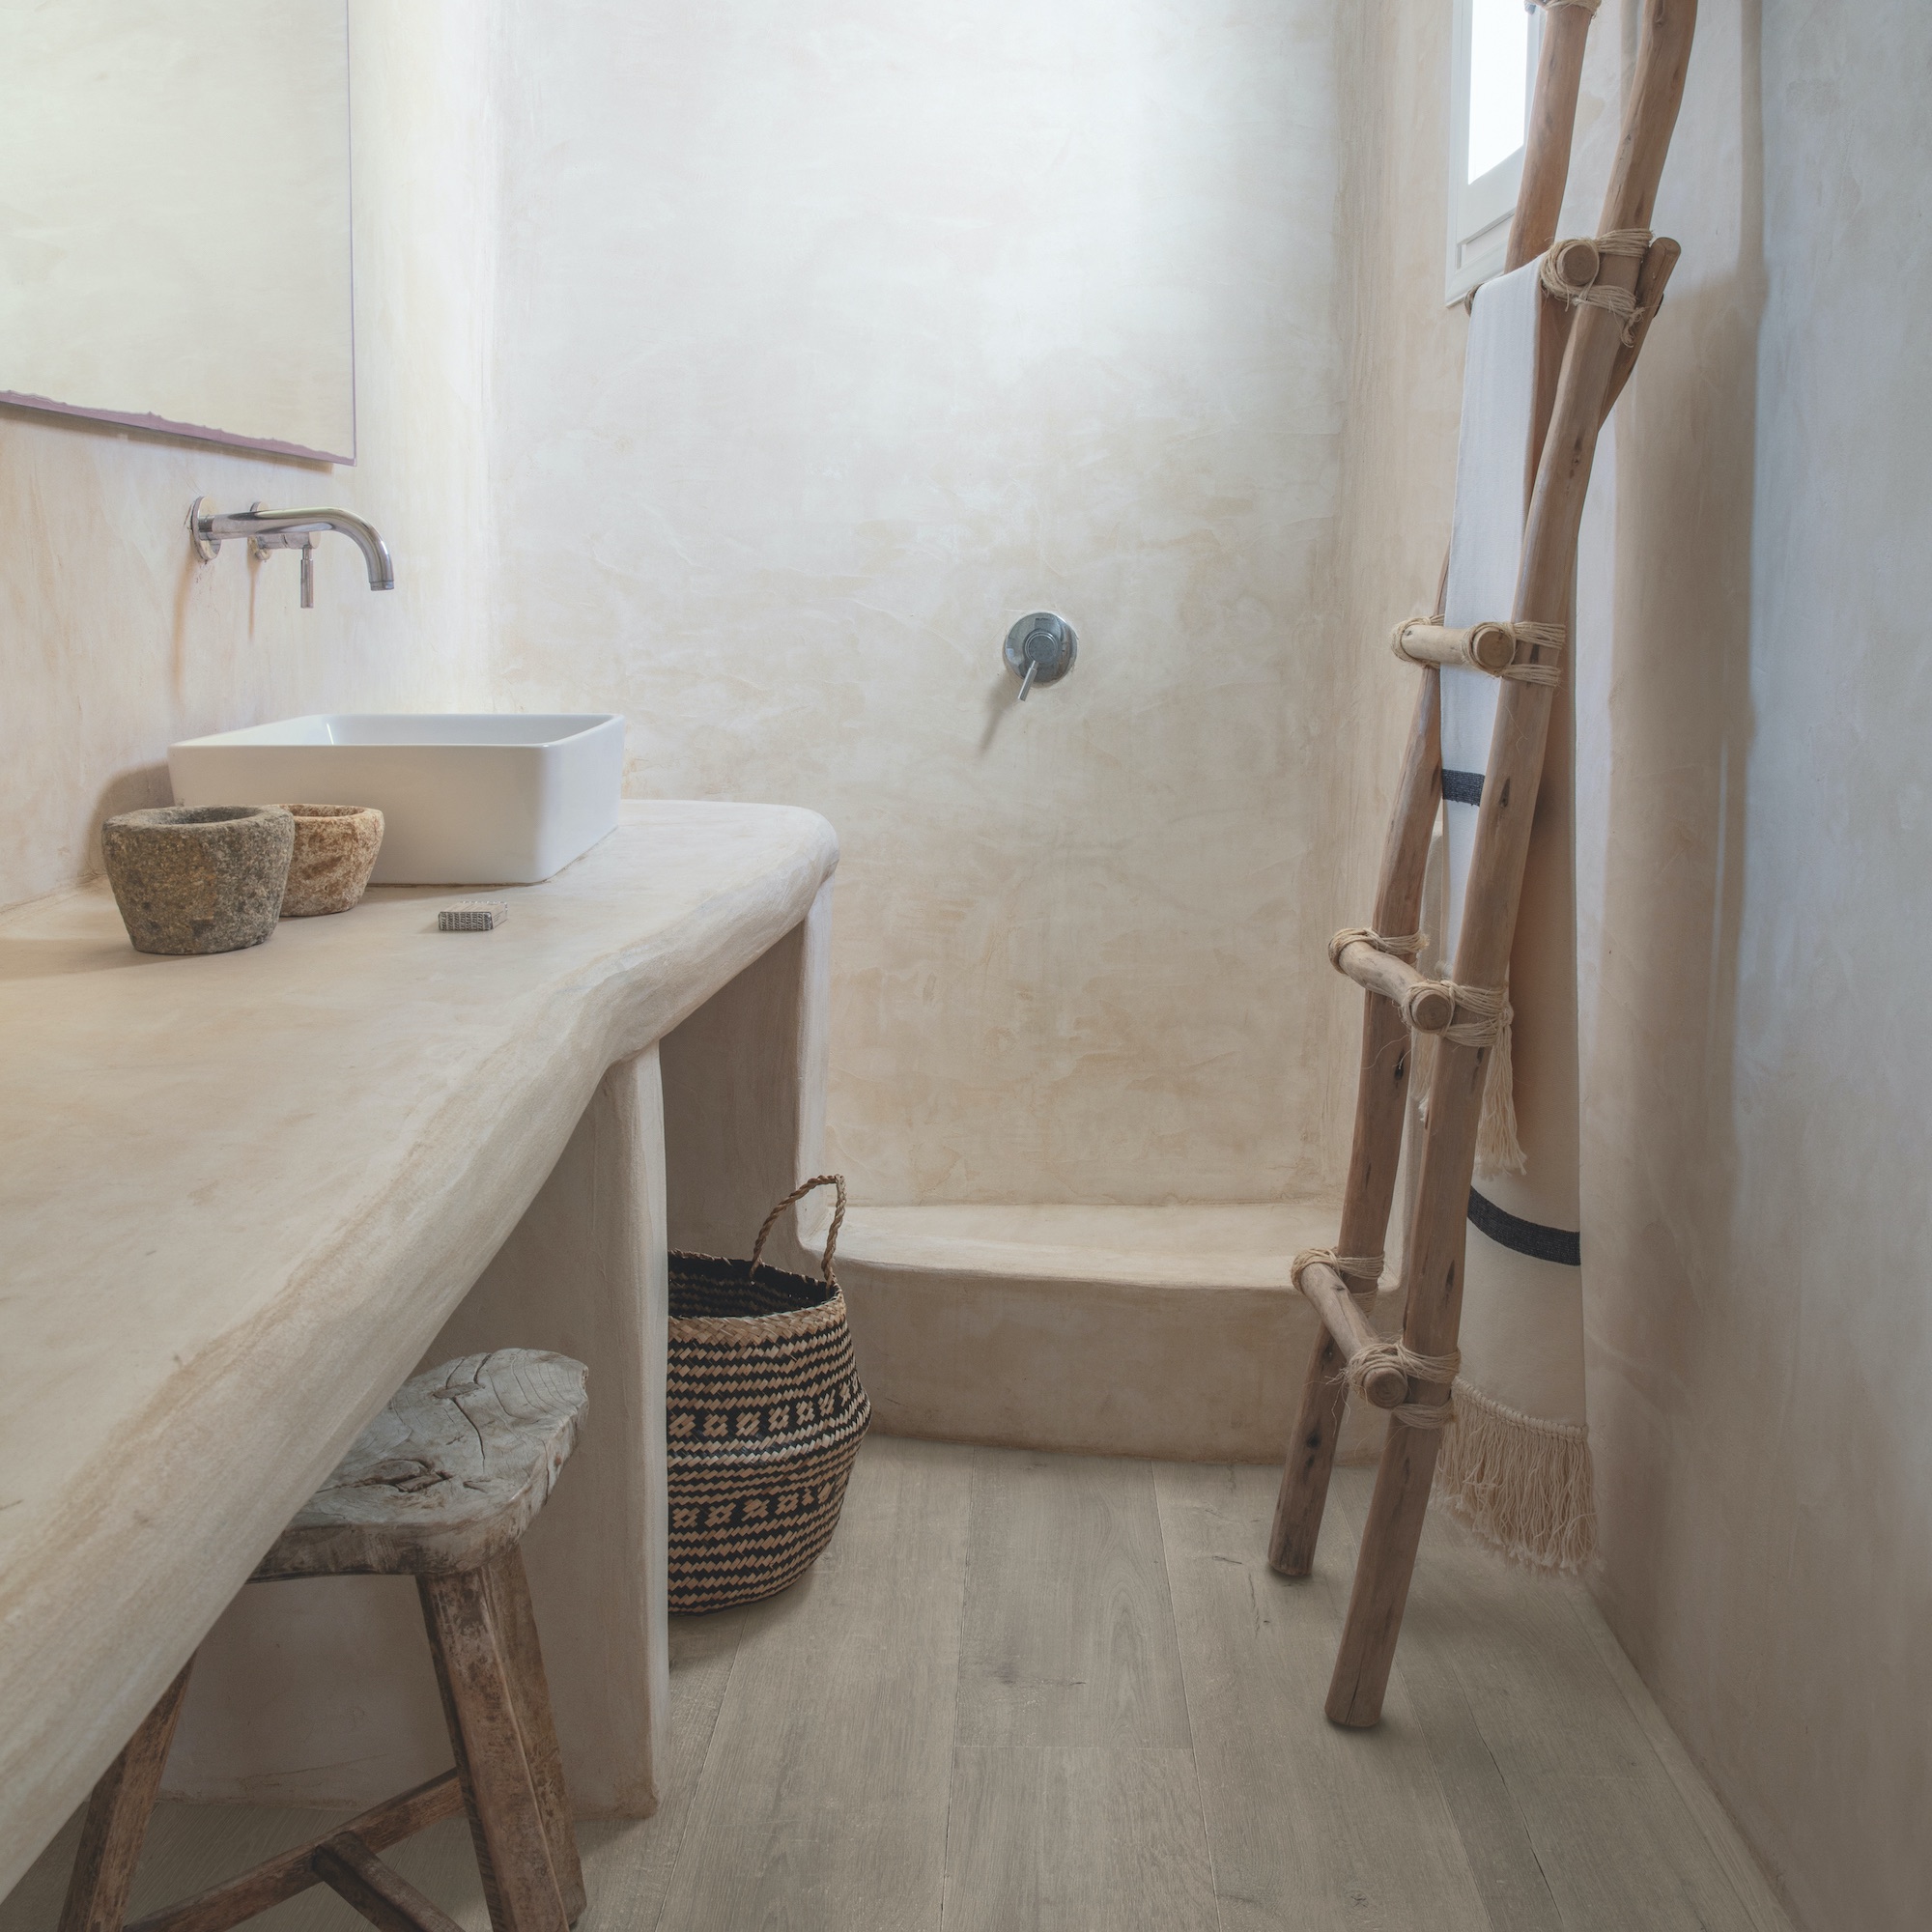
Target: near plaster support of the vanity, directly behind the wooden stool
<point>322,1693</point>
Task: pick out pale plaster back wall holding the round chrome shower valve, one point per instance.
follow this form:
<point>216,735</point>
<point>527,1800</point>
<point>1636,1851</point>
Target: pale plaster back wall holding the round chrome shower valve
<point>834,339</point>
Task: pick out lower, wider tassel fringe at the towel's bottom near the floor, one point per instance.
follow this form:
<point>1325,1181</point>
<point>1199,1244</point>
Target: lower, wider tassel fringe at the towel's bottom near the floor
<point>1520,1483</point>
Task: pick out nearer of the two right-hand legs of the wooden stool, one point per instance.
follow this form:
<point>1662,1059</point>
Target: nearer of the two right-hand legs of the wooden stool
<point>505,1819</point>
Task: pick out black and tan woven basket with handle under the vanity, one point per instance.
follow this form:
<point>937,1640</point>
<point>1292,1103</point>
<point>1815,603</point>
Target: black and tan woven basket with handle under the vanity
<point>766,1419</point>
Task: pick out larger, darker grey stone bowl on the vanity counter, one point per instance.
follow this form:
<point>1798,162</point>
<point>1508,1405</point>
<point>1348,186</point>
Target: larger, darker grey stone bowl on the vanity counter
<point>200,878</point>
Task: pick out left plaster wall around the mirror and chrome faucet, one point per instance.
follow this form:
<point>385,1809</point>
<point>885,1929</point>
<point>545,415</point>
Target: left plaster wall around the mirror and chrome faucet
<point>113,642</point>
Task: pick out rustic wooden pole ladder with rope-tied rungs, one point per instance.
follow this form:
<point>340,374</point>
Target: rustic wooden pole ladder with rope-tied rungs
<point>1581,366</point>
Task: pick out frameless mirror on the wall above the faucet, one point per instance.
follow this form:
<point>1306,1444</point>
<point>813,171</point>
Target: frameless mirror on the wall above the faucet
<point>175,217</point>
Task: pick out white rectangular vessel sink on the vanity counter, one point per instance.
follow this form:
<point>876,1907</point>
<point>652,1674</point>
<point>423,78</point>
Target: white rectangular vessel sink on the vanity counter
<point>469,799</point>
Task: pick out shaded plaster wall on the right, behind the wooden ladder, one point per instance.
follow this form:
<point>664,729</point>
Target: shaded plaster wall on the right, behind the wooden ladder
<point>1755,1060</point>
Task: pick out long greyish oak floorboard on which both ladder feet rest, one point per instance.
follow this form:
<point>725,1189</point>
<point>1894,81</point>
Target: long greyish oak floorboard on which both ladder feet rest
<point>1311,1827</point>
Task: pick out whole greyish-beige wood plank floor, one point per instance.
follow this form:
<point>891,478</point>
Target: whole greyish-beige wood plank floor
<point>1031,1691</point>
